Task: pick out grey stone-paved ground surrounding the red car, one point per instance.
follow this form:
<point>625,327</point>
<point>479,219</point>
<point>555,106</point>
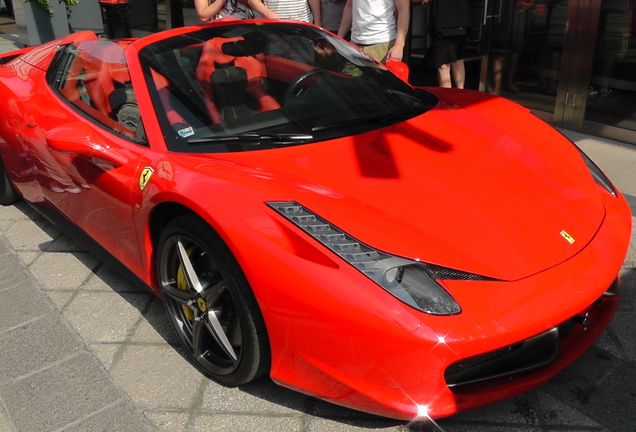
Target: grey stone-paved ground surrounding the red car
<point>82,349</point>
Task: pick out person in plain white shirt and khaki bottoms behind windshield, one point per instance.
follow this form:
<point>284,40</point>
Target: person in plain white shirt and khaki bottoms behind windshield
<point>374,27</point>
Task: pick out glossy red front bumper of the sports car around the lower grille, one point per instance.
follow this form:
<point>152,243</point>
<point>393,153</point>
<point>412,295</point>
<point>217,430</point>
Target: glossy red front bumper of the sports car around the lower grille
<point>336,336</point>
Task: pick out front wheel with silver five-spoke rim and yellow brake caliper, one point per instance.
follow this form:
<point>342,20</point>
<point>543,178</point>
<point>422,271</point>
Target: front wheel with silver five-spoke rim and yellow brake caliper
<point>210,303</point>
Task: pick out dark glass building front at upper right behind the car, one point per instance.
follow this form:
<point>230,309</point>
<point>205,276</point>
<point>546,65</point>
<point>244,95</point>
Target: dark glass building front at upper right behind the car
<point>572,62</point>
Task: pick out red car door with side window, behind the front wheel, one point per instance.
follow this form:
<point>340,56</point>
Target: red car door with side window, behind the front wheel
<point>87,145</point>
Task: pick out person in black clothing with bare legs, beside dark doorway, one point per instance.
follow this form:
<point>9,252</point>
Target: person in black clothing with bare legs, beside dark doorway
<point>450,24</point>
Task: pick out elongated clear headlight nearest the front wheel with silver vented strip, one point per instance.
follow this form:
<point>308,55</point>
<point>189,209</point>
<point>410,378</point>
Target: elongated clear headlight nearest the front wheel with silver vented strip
<point>410,281</point>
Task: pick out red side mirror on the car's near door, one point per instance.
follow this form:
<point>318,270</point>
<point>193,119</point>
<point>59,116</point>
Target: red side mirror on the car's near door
<point>80,139</point>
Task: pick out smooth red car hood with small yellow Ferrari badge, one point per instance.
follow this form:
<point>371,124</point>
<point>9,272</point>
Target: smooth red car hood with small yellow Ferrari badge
<point>477,184</point>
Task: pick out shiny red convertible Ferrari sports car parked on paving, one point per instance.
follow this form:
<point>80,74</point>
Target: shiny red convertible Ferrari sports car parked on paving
<point>306,214</point>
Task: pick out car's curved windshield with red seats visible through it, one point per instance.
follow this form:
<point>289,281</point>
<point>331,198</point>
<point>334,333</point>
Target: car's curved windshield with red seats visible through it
<point>258,85</point>
